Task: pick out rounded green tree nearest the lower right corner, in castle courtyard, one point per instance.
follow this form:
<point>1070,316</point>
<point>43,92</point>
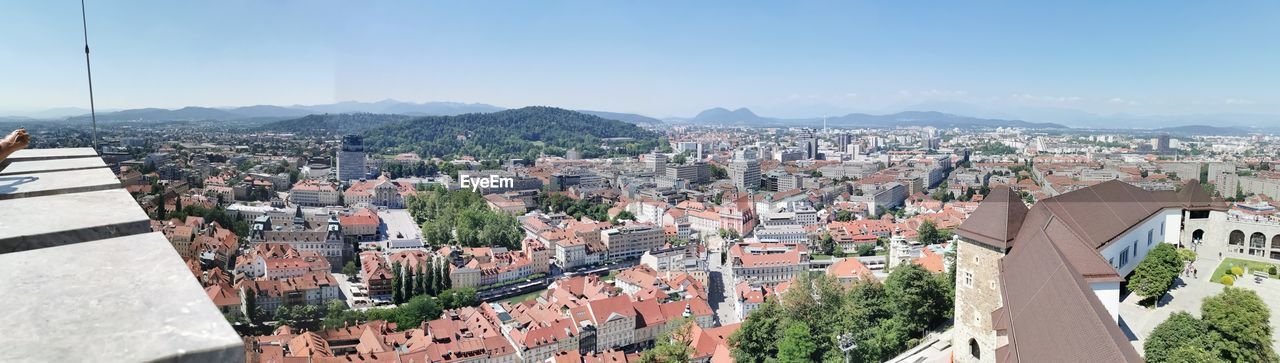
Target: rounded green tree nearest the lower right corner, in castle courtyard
<point>1244,320</point>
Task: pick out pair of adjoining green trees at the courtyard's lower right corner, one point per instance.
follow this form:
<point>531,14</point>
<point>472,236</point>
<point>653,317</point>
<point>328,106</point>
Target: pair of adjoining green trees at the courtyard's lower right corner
<point>1236,327</point>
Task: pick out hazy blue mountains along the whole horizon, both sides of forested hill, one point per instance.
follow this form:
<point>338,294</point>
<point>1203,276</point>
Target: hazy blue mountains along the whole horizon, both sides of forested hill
<point>943,116</point>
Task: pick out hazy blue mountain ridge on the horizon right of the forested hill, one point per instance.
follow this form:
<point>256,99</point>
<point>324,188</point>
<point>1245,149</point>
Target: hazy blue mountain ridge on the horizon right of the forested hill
<point>744,117</point>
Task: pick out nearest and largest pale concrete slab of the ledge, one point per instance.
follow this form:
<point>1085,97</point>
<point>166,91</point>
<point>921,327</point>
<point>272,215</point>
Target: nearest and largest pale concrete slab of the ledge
<point>120,300</point>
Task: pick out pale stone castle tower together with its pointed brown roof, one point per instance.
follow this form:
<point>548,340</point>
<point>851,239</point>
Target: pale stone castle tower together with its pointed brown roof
<point>984,240</point>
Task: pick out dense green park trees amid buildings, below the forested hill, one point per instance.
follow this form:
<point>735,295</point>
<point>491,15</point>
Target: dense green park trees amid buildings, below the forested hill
<point>463,218</point>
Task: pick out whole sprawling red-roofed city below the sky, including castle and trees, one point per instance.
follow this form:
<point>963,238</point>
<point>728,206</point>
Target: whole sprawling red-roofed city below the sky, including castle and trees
<point>717,243</point>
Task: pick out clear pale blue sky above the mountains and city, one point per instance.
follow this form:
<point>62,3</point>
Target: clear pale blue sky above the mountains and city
<point>656,58</point>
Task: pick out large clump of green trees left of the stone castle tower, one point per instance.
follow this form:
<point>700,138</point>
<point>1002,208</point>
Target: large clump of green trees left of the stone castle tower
<point>817,314</point>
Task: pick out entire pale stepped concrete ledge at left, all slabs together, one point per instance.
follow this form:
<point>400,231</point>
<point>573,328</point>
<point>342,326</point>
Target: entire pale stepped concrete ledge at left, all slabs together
<point>85,279</point>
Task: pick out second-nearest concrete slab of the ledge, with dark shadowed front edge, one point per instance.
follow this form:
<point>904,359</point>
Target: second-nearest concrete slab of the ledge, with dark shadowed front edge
<point>67,219</point>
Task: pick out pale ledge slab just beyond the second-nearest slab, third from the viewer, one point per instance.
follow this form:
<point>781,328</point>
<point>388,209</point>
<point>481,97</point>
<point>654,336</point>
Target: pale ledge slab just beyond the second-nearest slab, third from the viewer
<point>58,183</point>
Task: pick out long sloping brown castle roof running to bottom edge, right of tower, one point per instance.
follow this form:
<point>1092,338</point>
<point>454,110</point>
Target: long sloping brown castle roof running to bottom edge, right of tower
<point>1050,313</point>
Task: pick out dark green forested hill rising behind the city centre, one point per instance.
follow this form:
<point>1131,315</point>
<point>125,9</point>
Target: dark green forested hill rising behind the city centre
<point>511,134</point>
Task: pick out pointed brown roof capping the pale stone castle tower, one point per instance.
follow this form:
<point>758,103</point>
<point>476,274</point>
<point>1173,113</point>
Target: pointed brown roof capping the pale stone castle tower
<point>996,222</point>
